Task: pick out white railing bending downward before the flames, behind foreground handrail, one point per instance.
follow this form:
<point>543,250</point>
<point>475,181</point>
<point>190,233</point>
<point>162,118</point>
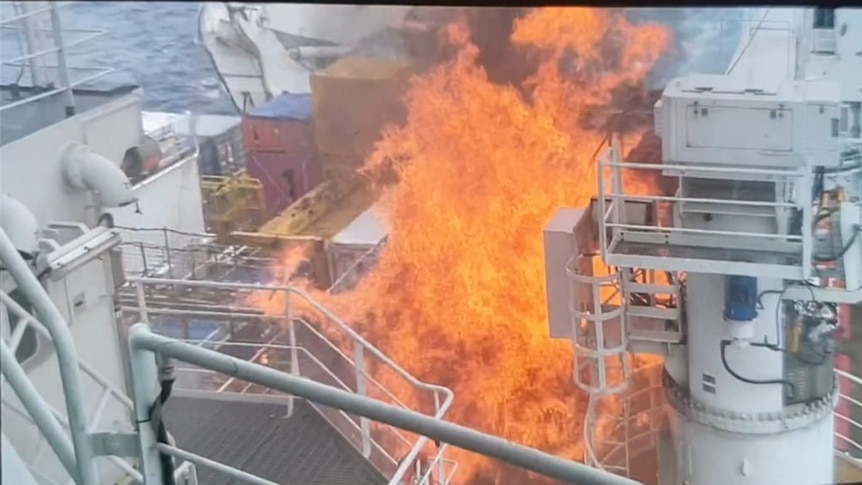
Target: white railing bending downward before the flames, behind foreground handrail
<point>328,351</point>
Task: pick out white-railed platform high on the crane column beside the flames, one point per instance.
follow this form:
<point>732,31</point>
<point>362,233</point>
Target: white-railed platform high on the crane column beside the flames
<point>665,247</point>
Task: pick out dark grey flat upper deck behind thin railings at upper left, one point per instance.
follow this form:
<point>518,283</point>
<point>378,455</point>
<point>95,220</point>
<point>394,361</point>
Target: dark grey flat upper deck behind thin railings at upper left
<point>27,118</point>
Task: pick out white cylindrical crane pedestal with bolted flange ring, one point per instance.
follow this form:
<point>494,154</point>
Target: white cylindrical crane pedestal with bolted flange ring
<point>731,425</point>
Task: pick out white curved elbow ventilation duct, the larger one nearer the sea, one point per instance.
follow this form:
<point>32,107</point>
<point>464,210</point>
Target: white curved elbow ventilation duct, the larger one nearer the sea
<point>87,170</point>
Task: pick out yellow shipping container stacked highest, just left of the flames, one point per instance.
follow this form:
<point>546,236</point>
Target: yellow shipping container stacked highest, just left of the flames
<point>354,99</point>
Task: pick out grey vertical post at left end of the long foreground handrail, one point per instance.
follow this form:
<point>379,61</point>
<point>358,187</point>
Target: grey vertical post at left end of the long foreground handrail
<point>145,391</point>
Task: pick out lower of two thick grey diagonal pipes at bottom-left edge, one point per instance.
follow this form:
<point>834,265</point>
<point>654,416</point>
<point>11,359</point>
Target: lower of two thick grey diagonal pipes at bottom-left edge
<point>39,411</point>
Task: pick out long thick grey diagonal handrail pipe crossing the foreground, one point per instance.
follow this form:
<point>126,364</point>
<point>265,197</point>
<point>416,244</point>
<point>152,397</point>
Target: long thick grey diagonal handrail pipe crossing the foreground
<point>528,458</point>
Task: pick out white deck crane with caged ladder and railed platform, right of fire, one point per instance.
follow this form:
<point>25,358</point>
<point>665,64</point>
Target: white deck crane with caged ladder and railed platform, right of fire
<point>739,292</point>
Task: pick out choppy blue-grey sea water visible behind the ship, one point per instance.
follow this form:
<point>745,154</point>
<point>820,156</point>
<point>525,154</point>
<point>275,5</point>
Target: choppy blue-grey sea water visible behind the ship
<point>152,44</point>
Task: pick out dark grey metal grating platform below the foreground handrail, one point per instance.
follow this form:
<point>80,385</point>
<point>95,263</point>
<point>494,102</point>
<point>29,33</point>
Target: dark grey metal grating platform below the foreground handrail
<point>259,439</point>
